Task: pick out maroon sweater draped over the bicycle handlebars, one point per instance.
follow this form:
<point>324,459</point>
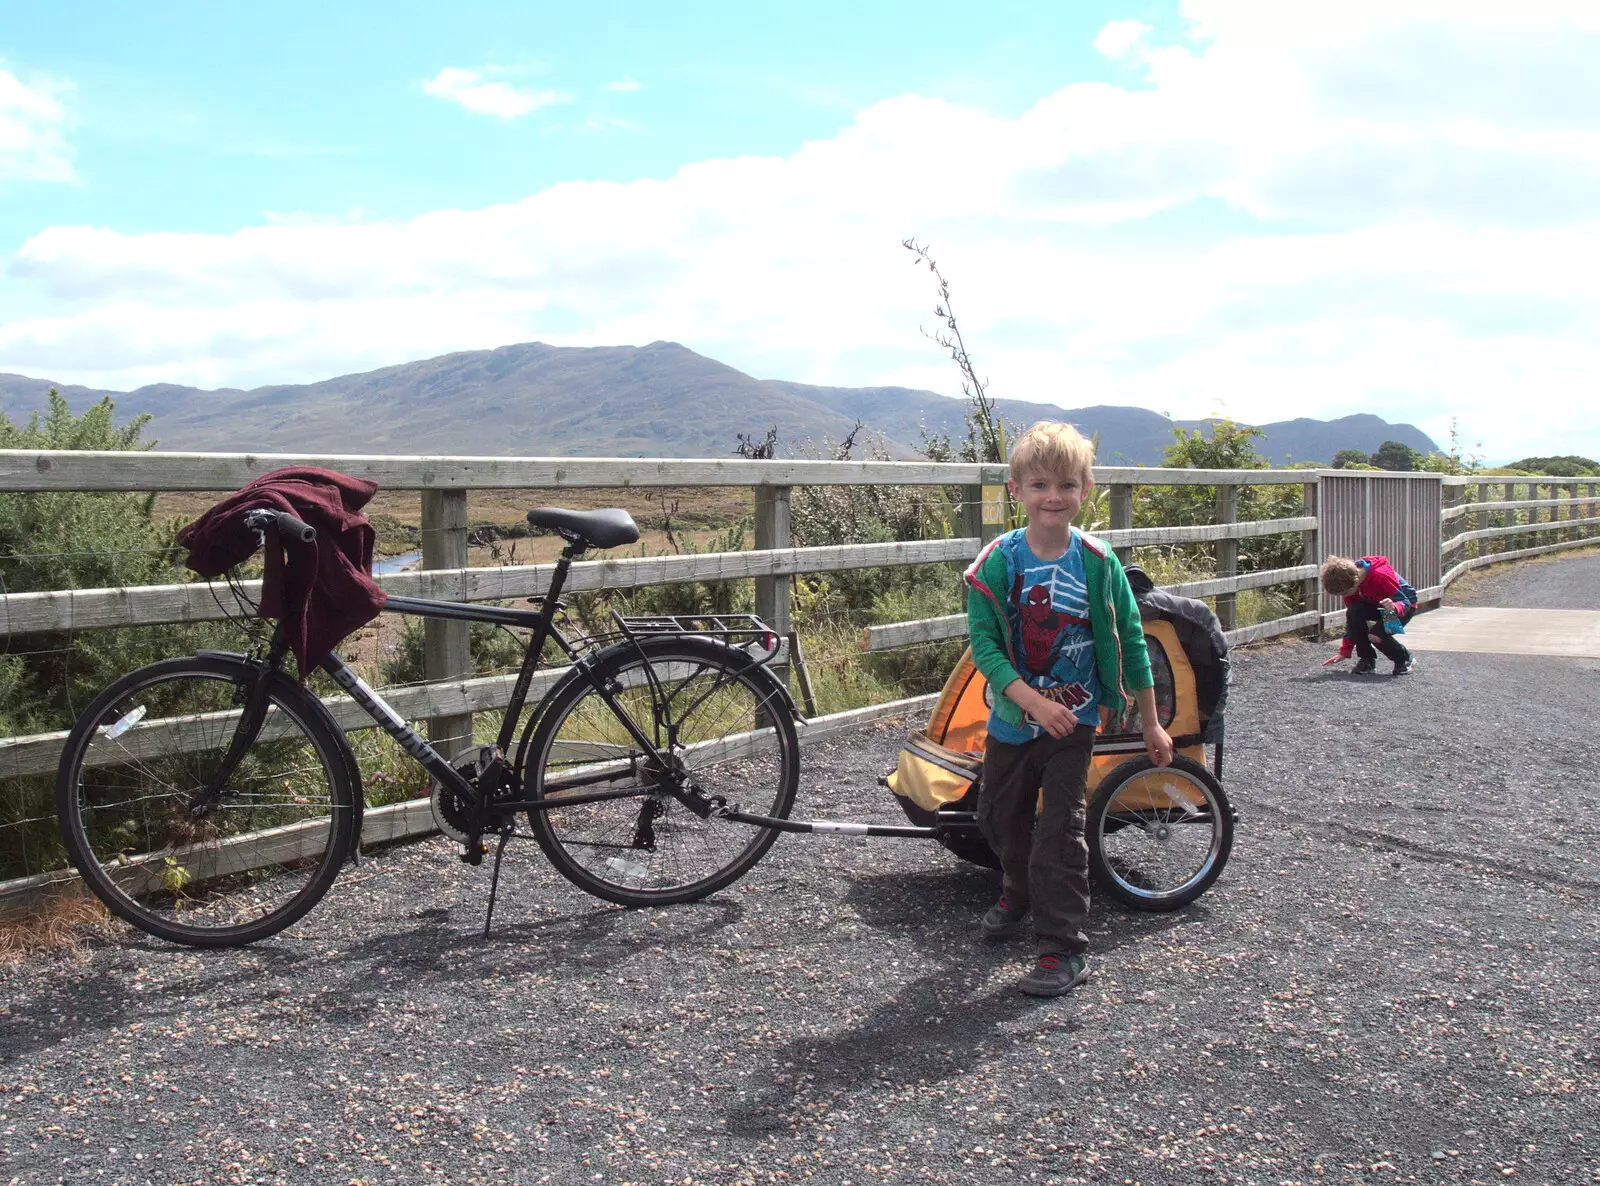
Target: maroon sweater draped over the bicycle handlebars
<point>321,591</point>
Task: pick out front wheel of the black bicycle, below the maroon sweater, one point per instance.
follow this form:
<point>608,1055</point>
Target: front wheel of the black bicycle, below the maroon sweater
<point>178,844</point>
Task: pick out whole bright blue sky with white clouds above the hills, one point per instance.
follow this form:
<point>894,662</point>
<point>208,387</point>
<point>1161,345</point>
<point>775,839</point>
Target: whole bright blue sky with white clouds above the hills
<point>1199,207</point>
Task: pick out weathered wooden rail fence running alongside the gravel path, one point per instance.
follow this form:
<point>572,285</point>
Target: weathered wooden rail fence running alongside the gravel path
<point>1428,511</point>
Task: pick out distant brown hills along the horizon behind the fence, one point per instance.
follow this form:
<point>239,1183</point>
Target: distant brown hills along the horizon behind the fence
<point>618,401</point>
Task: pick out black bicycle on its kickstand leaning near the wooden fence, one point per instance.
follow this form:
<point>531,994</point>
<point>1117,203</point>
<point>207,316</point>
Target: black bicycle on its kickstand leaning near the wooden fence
<point>214,799</point>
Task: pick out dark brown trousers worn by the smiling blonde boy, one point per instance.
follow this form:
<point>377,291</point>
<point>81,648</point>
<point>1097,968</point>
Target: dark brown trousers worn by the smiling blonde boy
<point>1046,860</point>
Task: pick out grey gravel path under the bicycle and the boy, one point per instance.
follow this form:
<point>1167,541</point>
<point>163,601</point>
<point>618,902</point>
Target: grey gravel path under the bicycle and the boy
<point>1394,980</point>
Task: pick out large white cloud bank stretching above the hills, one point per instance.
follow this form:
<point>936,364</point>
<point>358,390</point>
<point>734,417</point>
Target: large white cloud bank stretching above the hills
<point>1244,226</point>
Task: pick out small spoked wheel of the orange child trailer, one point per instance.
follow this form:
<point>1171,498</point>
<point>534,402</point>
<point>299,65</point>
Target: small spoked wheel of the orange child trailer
<point>1159,836</point>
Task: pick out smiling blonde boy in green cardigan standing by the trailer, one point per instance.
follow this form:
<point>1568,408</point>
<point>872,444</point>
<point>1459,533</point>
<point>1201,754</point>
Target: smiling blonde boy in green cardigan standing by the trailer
<point>1055,631</point>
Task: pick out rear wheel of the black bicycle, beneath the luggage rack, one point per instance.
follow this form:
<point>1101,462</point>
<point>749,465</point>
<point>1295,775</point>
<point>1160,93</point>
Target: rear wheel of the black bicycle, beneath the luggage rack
<point>714,719</point>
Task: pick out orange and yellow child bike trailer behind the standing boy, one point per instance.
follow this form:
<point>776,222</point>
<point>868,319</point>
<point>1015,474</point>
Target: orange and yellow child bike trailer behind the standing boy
<point>1158,838</point>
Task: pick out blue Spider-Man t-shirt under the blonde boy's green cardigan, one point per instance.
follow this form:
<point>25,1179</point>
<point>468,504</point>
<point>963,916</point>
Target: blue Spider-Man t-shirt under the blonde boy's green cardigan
<point>1049,611</point>
